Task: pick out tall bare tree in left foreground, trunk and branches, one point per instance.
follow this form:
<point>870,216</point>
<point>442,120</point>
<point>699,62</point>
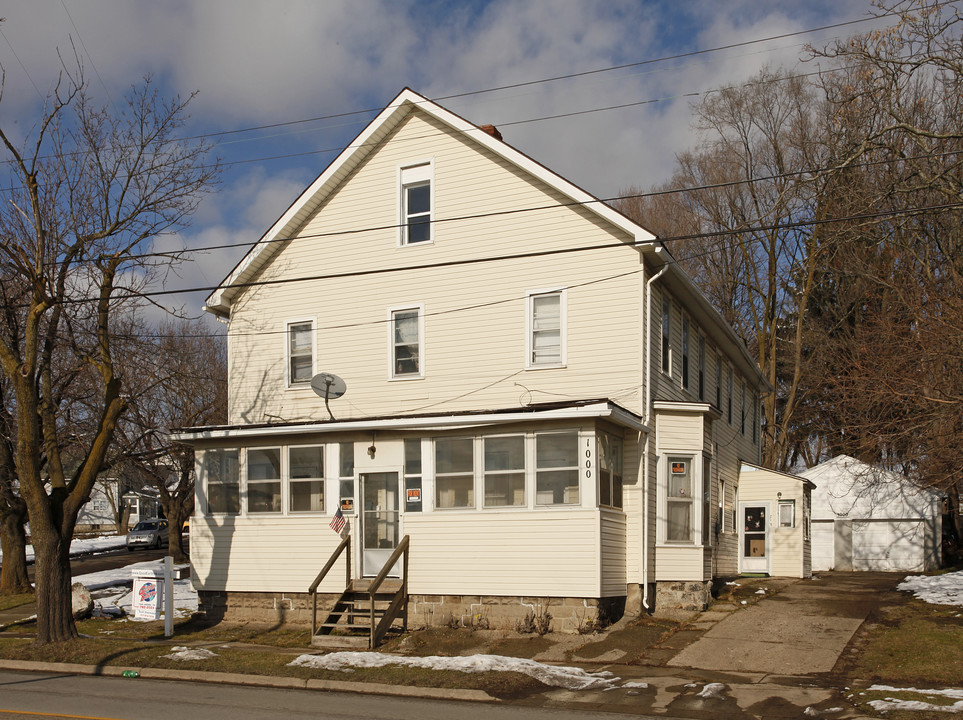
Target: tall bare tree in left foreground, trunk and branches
<point>87,189</point>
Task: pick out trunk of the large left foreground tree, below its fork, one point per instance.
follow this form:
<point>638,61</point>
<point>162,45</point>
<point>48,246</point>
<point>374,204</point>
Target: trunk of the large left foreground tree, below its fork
<point>55,621</point>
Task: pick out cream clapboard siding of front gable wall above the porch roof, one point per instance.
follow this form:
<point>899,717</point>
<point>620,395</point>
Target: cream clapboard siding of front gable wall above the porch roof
<point>475,315</point>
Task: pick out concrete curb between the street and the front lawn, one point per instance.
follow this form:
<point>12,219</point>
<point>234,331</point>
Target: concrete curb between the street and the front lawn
<point>253,680</point>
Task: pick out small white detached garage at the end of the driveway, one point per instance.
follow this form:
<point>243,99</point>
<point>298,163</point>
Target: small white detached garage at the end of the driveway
<point>870,519</point>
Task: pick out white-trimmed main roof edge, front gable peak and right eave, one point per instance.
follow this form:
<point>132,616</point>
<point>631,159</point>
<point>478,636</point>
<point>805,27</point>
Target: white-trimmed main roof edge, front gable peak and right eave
<point>369,140</point>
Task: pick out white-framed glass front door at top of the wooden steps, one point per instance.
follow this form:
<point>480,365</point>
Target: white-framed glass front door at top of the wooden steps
<point>380,520</point>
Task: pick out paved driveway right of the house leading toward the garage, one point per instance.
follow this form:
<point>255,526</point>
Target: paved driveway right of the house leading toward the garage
<point>802,630</point>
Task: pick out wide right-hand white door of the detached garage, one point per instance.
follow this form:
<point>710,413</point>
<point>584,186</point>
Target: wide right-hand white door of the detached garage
<point>886,545</point>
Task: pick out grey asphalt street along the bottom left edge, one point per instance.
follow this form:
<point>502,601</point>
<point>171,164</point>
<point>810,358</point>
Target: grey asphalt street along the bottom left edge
<point>28,695</point>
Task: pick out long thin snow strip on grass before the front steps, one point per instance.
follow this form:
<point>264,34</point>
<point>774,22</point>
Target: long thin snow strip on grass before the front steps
<point>565,677</point>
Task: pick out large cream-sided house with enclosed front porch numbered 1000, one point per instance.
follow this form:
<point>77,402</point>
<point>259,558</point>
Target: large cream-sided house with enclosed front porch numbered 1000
<point>537,395</point>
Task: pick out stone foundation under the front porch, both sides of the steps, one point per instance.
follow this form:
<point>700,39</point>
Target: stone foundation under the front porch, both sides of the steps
<point>481,612</point>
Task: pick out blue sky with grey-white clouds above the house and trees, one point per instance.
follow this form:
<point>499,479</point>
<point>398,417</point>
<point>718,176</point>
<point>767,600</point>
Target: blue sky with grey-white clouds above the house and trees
<point>259,63</point>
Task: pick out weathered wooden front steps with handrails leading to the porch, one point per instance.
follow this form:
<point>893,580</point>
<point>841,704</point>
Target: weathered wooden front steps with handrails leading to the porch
<point>368,608</point>
